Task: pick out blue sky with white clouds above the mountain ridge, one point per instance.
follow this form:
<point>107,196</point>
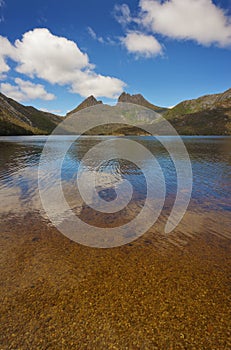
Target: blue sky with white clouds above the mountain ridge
<point>53,54</point>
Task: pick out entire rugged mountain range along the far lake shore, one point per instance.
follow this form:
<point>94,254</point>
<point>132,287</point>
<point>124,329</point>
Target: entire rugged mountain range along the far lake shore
<point>207,115</point>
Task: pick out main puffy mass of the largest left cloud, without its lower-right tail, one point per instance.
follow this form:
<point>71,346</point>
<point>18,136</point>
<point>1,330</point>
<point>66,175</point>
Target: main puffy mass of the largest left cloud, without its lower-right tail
<point>49,57</point>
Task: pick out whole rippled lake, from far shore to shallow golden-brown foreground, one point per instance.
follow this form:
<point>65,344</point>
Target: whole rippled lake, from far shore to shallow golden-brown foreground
<point>167,290</point>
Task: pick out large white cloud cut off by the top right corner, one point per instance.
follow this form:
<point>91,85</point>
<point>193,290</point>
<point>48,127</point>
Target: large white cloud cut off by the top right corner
<point>198,20</point>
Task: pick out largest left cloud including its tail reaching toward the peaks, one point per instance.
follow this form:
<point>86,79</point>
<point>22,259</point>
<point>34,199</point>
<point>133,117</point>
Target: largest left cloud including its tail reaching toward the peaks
<point>59,61</point>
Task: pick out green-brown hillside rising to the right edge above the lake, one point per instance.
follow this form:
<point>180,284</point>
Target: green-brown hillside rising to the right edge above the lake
<point>206,115</point>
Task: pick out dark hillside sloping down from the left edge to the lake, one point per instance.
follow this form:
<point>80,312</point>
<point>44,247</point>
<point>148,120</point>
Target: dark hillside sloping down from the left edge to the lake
<point>16,119</point>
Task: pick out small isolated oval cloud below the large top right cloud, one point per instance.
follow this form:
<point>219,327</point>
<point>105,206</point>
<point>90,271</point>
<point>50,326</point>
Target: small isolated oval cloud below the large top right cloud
<point>141,44</point>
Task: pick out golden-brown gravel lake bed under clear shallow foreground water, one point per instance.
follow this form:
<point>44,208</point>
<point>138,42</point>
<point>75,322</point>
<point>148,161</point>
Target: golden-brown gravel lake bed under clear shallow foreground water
<point>157,292</point>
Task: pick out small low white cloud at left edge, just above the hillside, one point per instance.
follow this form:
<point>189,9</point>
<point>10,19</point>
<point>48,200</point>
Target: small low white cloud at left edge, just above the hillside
<point>25,90</point>
